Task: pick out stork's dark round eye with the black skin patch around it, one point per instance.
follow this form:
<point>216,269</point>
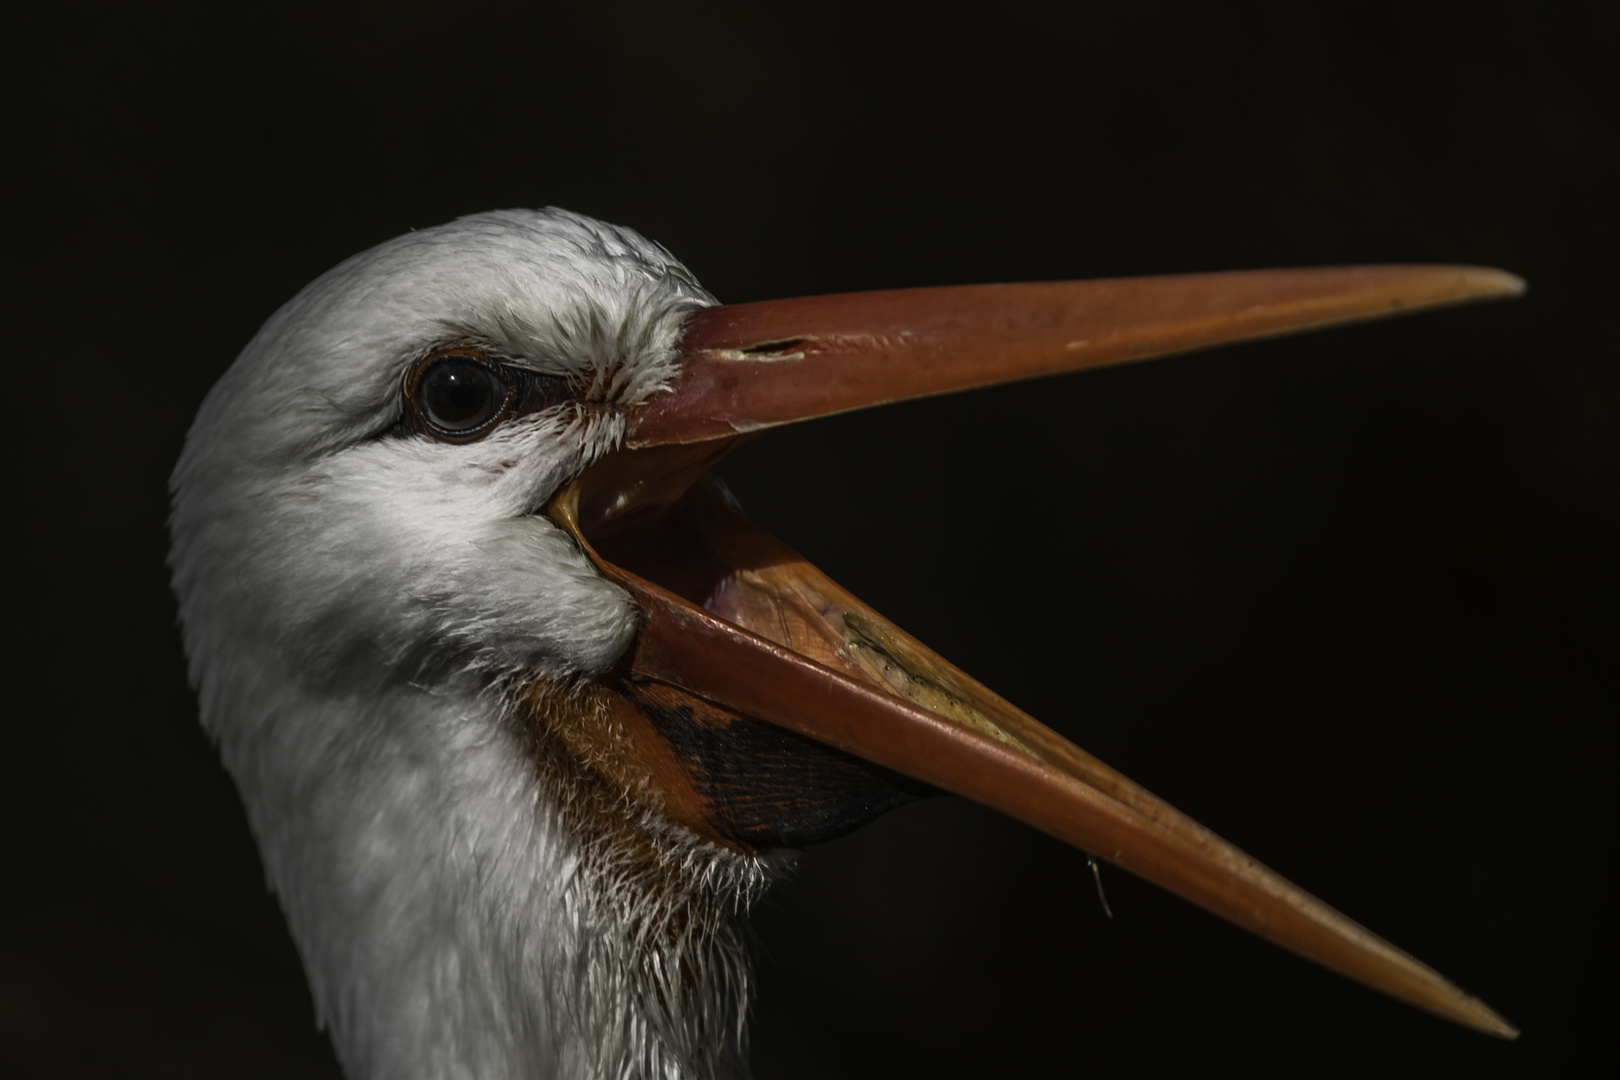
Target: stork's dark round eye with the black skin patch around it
<point>464,394</point>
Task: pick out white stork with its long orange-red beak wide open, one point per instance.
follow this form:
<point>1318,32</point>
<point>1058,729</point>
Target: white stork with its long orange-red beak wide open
<point>526,713</point>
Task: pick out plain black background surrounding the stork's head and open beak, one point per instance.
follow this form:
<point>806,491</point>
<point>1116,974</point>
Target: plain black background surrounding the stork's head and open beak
<point>1350,600</point>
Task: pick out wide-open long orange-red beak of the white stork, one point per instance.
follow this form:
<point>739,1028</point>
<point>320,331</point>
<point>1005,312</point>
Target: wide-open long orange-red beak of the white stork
<point>741,632</point>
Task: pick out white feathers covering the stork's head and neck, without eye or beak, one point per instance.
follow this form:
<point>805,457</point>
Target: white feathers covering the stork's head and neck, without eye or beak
<point>356,602</point>
